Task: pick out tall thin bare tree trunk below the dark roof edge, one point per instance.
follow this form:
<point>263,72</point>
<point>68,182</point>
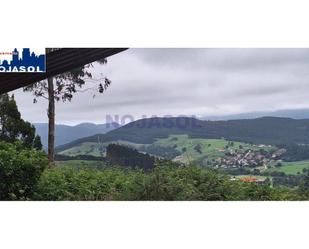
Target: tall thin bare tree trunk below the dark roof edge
<point>51,122</point>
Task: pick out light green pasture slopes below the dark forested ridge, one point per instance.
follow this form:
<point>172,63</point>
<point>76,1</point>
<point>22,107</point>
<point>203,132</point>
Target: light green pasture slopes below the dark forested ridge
<point>177,147</point>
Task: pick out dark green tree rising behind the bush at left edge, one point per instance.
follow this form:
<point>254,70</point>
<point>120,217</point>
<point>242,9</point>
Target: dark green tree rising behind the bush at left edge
<point>13,127</point>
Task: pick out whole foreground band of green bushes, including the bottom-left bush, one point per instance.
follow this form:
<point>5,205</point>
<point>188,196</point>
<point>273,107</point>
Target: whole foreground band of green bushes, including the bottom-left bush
<point>24,176</point>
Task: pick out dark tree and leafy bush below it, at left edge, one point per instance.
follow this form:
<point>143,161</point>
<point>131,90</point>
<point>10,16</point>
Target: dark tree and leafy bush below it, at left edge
<point>21,161</point>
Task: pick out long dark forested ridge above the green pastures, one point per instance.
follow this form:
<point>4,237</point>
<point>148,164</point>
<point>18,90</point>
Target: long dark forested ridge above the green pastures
<point>266,130</point>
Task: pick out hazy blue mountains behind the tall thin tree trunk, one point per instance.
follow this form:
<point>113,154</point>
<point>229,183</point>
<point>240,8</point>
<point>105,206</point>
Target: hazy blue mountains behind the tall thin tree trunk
<point>66,133</point>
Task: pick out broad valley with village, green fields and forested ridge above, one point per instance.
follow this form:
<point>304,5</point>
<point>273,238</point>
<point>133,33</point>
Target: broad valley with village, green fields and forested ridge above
<point>240,153</point>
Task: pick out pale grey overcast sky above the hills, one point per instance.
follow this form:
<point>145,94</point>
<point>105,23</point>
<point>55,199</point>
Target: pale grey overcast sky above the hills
<point>197,82</point>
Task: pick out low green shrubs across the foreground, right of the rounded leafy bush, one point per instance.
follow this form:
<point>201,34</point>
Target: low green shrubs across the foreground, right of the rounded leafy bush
<point>167,181</point>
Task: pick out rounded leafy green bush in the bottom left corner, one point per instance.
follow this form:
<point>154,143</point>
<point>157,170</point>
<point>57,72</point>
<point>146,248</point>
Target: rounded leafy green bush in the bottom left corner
<point>20,170</point>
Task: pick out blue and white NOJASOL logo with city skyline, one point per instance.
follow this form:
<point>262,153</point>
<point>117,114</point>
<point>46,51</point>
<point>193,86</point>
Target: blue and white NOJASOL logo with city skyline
<point>22,60</point>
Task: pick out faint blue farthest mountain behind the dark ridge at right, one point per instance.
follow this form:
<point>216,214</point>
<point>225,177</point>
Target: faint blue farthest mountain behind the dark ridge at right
<point>288,113</point>
